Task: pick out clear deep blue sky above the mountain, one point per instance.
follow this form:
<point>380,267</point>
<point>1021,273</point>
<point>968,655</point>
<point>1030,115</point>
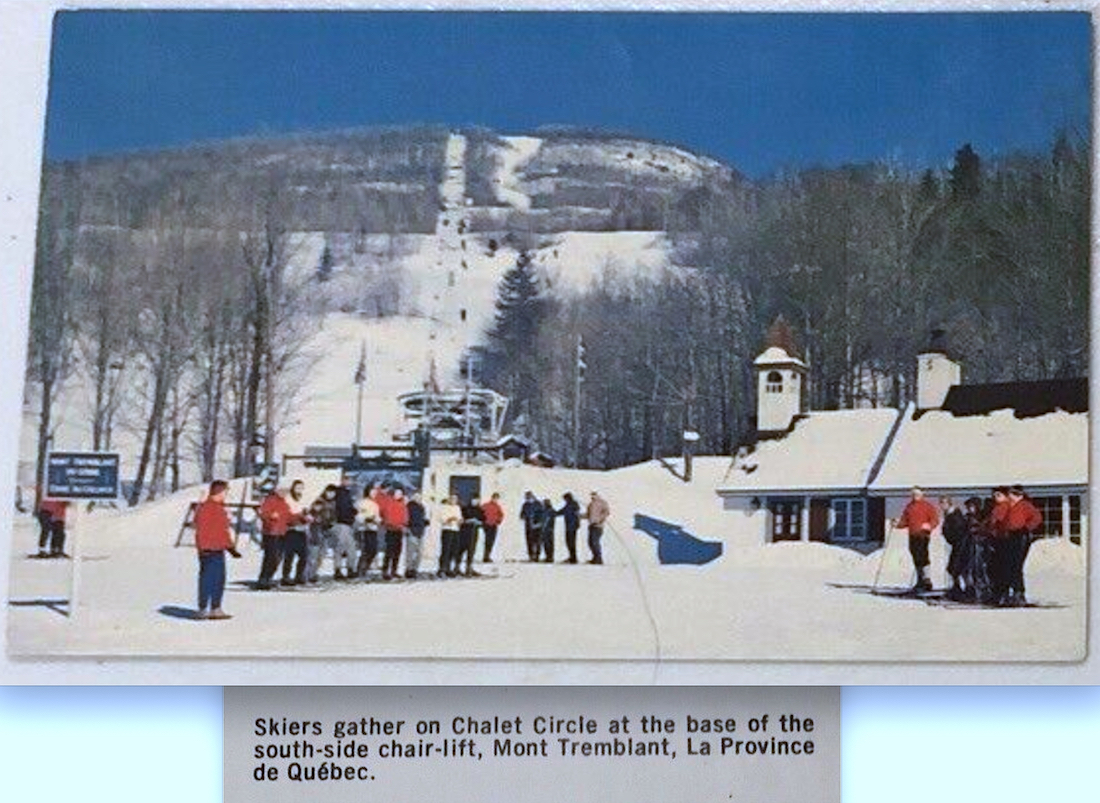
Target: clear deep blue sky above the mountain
<point>761,92</point>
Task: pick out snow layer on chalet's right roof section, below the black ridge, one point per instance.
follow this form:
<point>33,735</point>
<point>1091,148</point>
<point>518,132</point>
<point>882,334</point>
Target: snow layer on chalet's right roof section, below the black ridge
<point>940,450</point>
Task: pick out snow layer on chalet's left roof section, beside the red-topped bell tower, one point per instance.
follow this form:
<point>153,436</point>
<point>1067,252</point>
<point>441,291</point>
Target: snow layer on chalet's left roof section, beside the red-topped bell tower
<point>829,452</point>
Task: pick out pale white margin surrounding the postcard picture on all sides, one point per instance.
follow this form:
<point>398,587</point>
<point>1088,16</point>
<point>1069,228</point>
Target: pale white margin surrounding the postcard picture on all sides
<point>25,54</point>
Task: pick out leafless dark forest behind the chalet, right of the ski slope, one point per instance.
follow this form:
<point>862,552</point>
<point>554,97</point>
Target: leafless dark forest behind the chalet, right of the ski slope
<point>863,261</point>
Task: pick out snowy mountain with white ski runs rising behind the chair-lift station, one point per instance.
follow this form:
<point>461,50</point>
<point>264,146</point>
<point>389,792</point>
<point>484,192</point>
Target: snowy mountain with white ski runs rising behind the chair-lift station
<point>416,227</point>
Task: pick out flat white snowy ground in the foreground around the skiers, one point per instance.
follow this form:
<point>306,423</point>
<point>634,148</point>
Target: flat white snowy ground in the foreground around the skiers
<point>795,602</point>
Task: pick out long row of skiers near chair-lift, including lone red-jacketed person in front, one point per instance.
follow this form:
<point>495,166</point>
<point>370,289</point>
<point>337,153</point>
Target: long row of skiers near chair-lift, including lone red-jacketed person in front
<point>298,536</point>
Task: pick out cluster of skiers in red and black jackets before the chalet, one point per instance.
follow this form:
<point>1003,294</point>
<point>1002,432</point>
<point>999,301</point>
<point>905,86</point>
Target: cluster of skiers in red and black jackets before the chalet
<point>989,542</point>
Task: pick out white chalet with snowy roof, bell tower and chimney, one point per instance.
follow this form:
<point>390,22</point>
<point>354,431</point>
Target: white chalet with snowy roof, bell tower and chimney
<point>839,477</point>
